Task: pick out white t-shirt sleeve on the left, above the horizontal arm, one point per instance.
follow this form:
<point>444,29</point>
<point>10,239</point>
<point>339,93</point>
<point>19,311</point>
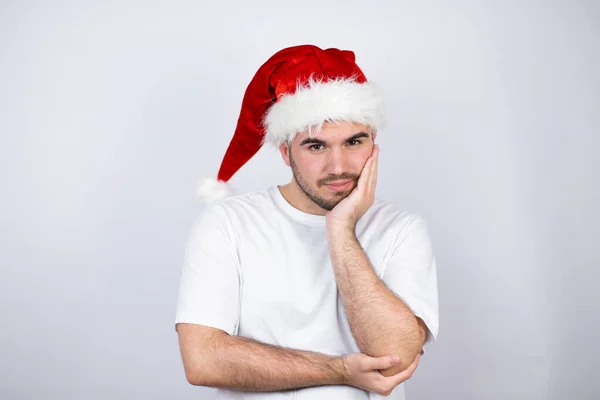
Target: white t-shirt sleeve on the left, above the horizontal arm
<point>209,283</point>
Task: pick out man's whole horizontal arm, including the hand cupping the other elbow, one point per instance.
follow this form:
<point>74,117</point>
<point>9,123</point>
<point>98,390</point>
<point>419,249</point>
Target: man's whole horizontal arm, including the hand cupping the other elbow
<point>213,358</point>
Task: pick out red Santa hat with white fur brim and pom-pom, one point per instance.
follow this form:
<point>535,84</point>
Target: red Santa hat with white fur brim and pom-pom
<point>296,90</point>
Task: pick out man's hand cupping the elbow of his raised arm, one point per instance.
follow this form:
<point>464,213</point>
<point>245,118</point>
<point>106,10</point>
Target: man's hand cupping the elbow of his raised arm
<point>362,372</point>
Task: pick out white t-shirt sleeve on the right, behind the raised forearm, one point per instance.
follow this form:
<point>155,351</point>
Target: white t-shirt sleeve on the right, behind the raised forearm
<point>412,275</point>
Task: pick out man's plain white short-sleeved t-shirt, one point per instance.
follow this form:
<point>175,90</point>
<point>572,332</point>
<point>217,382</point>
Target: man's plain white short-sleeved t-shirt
<point>257,267</point>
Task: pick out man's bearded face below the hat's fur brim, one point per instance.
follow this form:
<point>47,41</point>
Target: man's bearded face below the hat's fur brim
<point>327,165</point>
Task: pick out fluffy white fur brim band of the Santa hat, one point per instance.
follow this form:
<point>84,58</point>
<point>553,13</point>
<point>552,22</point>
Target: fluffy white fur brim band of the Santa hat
<point>318,102</point>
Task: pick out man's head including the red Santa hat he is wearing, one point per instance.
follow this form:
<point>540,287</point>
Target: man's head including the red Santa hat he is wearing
<point>290,95</point>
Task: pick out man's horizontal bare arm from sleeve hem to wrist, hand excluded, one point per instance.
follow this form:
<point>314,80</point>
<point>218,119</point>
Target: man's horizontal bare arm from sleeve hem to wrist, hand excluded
<point>213,358</point>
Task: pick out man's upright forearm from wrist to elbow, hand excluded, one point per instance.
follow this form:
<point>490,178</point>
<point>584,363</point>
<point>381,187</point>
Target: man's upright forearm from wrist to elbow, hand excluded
<point>380,322</point>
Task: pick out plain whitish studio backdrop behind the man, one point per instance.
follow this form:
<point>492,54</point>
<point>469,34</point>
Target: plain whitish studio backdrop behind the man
<point>111,111</point>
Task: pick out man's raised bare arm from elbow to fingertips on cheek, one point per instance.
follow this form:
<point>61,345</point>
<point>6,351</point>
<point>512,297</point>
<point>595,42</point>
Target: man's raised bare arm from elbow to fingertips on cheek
<point>380,322</point>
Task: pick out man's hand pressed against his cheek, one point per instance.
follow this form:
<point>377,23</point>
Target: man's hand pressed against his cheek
<point>348,211</point>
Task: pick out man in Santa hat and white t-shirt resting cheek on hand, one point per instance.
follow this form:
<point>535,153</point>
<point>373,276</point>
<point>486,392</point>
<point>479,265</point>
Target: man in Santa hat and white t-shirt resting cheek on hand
<point>313,289</point>
